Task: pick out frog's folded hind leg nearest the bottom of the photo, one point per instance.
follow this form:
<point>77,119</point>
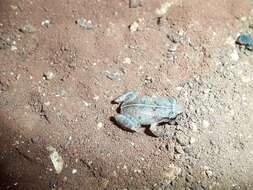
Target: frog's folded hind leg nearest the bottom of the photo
<point>128,122</point>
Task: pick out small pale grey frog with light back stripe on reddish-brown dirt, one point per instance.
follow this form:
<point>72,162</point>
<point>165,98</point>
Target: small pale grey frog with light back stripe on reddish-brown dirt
<point>136,111</point>
